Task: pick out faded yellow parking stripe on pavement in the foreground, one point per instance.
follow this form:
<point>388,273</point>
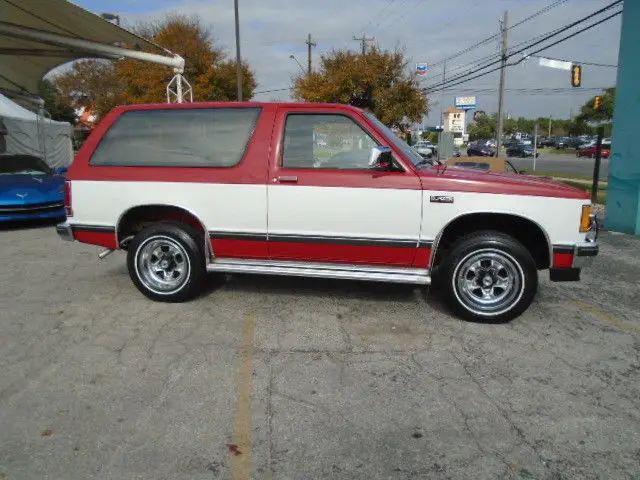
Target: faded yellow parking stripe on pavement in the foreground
<point>241,462</point>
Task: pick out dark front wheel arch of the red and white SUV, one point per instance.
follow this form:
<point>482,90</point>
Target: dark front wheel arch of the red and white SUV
<point>527,231</point>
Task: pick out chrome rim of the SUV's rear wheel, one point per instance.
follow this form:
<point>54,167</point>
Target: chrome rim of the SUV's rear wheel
<point>162,265</point>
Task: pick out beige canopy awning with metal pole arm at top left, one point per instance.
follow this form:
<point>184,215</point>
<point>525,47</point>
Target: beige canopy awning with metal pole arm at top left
<point>36,36</point>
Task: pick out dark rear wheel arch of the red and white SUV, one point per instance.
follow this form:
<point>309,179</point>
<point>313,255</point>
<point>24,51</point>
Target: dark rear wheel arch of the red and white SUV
<point>132,220</point>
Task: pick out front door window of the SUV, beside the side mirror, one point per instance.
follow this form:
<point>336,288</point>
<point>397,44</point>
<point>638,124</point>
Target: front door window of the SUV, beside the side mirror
<point>326,141</point>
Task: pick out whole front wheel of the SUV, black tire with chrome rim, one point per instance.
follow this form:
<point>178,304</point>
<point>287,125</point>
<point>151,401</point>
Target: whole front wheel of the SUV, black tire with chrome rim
<point>510,263</point>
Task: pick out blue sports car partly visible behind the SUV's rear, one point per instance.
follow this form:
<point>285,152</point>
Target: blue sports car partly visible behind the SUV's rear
<point>30,189</point>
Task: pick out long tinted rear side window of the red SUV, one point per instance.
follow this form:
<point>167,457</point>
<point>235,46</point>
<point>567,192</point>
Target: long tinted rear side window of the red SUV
<point>192,137</point>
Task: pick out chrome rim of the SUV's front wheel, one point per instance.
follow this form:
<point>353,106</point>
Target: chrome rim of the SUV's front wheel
<point>488,282</point>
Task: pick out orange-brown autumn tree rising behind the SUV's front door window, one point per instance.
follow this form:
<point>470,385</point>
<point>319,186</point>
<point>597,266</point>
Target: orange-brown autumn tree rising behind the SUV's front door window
<point>377,80</point>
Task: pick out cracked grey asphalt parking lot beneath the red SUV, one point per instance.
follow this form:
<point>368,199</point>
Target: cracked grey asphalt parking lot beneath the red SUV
<point>280,378</point>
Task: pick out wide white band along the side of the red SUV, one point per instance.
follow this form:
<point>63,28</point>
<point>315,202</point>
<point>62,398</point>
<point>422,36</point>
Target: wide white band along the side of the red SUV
<point>332,211</point>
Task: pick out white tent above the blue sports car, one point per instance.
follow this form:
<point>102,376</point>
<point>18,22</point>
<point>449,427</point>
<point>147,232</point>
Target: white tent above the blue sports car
<point>25,132</point>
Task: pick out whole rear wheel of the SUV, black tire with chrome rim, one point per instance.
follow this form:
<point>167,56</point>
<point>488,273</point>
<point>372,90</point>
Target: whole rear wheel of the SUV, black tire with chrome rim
<point>181,247</point>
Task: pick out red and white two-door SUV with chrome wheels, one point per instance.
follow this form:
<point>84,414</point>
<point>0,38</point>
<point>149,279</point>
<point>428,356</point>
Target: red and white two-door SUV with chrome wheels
<point>149,181</point>
